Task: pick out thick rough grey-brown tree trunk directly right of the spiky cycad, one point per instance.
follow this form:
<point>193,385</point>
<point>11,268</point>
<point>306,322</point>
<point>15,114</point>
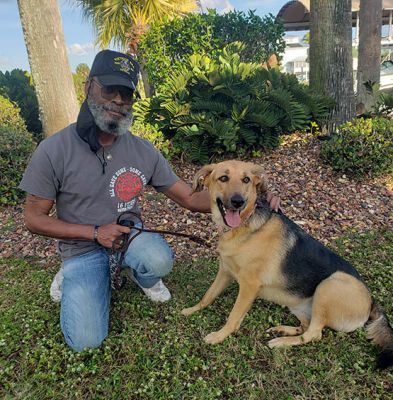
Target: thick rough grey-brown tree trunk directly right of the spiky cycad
<point>331,57</point>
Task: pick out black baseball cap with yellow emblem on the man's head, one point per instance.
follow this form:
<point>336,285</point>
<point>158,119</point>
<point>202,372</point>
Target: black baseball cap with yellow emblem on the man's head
<point>114,68</point>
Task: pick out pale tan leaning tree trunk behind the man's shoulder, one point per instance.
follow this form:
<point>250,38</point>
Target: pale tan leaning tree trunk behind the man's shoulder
<point>44,38</point>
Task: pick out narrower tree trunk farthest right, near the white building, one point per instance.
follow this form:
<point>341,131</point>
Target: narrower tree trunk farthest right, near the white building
<point>369,64</point>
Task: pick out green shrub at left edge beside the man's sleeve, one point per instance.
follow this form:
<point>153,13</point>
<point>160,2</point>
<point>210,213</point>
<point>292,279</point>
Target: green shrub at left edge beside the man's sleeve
<point>16,146</point>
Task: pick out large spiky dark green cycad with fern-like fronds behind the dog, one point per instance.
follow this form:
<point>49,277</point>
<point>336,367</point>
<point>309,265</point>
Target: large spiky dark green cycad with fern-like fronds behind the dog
<point>211,108</point>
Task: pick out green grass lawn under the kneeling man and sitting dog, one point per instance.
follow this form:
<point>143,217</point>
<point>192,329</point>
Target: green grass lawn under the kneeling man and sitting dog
<point>153,352</point>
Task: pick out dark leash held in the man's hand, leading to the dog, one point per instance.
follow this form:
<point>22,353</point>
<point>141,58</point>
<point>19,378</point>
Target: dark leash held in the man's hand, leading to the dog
<point>120,246</point>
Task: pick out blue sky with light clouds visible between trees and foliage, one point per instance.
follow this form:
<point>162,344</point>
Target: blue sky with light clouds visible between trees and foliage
<point>79,34</point>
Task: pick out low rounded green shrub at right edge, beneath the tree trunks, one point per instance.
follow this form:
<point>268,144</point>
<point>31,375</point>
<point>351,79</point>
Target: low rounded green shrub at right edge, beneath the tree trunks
<point>364,146</point>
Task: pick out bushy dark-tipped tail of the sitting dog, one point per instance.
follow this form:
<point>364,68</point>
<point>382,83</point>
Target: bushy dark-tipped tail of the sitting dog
<point>381,333</point>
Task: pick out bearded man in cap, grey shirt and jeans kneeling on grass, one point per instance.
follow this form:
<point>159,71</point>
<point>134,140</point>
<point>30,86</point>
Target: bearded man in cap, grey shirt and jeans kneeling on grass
<point>94,170</point>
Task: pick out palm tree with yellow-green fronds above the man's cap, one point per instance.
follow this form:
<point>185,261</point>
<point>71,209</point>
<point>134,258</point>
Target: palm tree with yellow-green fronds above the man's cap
<point>123,22</point>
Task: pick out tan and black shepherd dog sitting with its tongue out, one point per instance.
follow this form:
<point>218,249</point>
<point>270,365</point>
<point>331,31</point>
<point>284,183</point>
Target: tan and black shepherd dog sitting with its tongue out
<point>273,258</point>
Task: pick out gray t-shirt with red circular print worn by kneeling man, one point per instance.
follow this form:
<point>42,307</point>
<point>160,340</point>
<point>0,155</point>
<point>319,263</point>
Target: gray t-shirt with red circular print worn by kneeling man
<point>64,169</point>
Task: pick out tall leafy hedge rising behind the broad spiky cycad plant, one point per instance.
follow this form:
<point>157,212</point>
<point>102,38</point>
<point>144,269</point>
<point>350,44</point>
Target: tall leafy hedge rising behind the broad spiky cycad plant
<point>170,42</point>
